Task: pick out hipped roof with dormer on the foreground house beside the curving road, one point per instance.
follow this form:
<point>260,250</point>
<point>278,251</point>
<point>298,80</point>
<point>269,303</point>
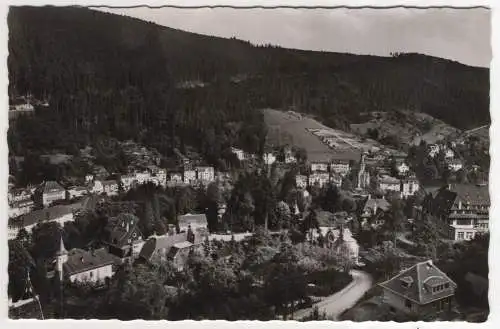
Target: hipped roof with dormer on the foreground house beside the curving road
<point>419,280</point>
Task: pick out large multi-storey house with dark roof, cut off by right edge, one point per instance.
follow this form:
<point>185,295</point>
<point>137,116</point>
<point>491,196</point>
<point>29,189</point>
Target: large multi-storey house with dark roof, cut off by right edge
<point>463,209</point>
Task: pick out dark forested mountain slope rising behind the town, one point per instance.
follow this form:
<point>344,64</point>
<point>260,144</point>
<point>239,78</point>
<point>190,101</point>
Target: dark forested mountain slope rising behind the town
<point>108,74</point>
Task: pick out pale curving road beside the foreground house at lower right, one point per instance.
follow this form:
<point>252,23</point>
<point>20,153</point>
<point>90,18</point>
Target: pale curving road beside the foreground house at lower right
<point>339,302</point>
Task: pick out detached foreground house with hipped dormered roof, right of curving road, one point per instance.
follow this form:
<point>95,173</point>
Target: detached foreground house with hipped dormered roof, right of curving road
<point>422,289</point>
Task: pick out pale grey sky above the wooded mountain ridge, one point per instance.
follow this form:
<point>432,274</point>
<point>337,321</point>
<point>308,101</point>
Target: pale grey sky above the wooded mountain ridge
<point>462,35</point>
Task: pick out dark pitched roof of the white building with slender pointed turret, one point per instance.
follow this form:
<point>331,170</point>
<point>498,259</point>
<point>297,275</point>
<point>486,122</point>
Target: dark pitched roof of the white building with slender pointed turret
<point>81,260</point>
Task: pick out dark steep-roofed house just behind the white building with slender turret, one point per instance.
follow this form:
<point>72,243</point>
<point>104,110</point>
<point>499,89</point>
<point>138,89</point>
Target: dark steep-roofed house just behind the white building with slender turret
<point>123,236</point>
